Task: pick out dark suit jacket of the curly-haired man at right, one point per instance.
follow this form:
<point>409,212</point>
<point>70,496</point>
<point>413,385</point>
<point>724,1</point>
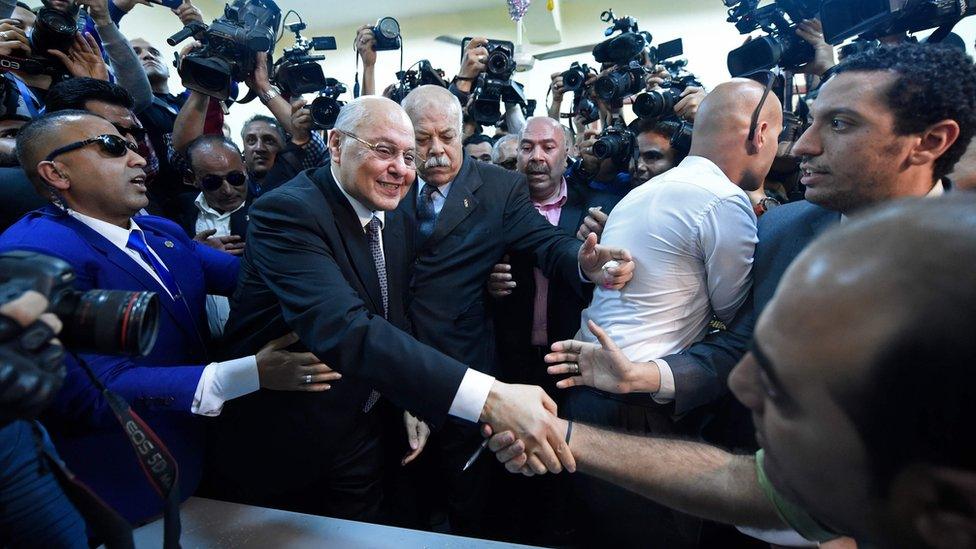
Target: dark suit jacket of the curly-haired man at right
<point>701,372</point>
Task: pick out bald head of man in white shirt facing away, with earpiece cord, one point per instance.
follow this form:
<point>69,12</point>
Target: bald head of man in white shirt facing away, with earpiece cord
<point>722,131</point>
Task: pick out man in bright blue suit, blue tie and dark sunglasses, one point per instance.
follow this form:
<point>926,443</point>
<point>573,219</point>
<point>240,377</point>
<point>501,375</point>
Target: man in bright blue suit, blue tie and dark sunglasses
<point>95,181</point>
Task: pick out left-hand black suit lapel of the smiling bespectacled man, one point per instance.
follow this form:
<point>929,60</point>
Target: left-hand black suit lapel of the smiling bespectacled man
<point>353,237</point>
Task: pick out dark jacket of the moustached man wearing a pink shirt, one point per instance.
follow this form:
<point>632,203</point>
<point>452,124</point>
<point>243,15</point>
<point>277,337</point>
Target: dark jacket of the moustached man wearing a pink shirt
<point>513,314</point>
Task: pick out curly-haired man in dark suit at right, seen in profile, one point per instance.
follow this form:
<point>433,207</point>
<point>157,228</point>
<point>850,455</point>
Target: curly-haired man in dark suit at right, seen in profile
<point>871,141</point>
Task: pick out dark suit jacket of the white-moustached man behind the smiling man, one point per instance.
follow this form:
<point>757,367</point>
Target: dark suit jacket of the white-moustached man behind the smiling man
<point>487,213</point>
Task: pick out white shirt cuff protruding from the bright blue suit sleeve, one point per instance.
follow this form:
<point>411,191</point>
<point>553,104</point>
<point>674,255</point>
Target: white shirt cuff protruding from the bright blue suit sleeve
<point>223,381</point>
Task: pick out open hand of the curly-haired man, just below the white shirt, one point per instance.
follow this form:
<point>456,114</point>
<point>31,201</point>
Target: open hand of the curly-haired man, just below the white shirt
<point>601,366</point>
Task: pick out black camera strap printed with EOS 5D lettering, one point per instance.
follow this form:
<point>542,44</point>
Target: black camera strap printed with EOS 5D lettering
<point>155,458</point>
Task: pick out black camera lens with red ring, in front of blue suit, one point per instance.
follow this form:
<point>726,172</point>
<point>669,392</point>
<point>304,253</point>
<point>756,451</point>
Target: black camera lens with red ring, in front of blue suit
<point>108,321</point>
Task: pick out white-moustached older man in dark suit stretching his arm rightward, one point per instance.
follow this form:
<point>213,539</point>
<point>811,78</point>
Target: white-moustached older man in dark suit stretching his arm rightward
<point>467,215</point>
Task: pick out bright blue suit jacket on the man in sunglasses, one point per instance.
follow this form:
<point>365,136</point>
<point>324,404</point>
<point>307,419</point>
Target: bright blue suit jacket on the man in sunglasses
<point>160,386</point>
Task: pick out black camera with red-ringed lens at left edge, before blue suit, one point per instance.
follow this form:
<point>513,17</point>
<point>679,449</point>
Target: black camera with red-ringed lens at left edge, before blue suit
<point>99,321</point>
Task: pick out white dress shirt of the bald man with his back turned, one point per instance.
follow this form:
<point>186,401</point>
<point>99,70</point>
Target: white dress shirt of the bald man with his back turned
<point>692,233</point>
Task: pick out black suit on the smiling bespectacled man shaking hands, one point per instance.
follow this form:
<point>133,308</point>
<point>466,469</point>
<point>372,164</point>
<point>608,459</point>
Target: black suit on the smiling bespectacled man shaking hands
<point>308,269</point>
